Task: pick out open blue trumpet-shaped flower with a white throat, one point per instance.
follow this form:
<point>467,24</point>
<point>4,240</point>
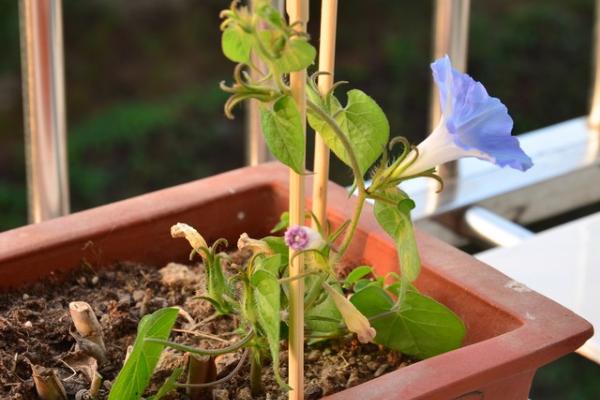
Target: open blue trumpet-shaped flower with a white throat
<point>473,124</point>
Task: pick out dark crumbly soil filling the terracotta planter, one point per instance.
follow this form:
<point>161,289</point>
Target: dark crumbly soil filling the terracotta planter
<point>35,329</point>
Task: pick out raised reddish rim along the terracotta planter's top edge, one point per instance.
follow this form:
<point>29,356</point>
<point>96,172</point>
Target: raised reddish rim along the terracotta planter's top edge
<point>545,330</point>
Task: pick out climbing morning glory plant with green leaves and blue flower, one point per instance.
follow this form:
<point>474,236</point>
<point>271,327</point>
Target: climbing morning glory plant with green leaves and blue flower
<point>389,310</point>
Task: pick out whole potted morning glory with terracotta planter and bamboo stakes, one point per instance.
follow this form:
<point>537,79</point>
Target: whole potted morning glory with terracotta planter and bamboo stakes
<point>477,333</point>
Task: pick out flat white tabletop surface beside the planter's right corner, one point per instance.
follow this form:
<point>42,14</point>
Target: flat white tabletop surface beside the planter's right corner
<point>562,263</point>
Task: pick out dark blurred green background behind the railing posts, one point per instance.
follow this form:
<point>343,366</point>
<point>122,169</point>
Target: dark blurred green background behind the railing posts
<point>145,111</point>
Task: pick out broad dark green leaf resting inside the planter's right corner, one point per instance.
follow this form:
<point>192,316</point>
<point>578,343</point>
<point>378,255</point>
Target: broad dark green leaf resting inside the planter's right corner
<point>421,328</point>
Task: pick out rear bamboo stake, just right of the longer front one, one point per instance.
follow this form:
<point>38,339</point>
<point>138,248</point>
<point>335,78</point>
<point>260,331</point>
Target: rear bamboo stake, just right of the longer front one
<point>326,64</point>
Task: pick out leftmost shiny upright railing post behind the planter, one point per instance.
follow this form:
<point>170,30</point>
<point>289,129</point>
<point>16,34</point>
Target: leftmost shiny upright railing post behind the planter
<point>44,108</point>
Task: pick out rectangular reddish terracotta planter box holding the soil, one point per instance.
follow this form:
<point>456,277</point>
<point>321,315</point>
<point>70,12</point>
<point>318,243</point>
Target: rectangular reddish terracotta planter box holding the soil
<point>512,331</point>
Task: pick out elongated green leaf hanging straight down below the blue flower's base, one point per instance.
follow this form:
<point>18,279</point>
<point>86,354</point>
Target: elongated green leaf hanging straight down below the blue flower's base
<point>396,222</point>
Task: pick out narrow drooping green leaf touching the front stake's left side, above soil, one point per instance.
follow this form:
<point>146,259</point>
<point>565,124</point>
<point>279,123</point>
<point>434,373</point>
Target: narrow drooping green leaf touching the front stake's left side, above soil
<point>267,297</point>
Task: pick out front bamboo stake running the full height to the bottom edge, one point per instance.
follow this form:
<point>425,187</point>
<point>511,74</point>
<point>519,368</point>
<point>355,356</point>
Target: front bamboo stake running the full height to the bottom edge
<point>297,11</point>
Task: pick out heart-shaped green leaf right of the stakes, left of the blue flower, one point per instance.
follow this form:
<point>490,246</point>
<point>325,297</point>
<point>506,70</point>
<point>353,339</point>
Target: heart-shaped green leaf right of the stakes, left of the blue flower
<point>364,124</point>
